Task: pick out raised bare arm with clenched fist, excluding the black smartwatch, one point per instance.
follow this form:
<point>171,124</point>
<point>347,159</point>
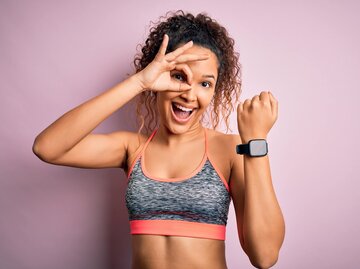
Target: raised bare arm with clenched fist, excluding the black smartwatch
<point>260,221</point>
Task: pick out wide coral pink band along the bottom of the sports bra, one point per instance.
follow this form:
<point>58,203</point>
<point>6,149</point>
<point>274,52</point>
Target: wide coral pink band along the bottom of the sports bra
<point>178,228</point>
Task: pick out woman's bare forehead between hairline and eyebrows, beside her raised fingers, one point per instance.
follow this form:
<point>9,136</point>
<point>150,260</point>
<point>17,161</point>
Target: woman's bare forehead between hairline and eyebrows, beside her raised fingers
<point>209,65</point>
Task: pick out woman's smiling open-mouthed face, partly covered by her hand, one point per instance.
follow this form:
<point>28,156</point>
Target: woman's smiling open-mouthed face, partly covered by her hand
<point>182,111</point>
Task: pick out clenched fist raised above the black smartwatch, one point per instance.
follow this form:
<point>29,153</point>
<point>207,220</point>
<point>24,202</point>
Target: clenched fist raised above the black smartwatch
<point>256,116</point>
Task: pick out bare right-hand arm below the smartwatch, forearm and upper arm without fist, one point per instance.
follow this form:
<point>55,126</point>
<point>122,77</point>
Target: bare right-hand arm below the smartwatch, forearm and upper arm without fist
<point>259,218</point>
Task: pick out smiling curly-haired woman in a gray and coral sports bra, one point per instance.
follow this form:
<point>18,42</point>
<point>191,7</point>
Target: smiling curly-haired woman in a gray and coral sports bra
<point>181,175</point>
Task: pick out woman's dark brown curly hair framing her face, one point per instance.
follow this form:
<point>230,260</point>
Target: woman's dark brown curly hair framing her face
<point>203,31</point>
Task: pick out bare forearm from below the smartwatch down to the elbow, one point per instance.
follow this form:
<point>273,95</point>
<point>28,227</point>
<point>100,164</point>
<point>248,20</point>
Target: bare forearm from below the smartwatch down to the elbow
<point>263,226</point>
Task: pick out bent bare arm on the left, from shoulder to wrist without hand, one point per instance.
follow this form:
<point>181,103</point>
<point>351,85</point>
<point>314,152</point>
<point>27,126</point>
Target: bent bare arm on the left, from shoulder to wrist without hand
<point>68,140</point>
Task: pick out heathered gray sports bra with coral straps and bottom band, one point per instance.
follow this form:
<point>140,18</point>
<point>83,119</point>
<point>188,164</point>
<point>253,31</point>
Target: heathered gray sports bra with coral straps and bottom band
<point>193,206</point>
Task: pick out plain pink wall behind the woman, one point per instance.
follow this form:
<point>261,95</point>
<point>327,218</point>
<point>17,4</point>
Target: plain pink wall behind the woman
<point>55,55</point>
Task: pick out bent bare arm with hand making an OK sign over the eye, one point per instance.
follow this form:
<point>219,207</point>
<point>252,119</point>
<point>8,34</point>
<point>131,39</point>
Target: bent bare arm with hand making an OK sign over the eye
<point>68,140</point>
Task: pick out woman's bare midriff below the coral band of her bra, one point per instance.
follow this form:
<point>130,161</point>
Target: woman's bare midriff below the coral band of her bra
<point>175,252</point>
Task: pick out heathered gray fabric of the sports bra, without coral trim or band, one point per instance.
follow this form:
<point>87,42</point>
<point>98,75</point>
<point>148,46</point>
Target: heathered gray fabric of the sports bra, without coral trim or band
<point>201,198</point>
